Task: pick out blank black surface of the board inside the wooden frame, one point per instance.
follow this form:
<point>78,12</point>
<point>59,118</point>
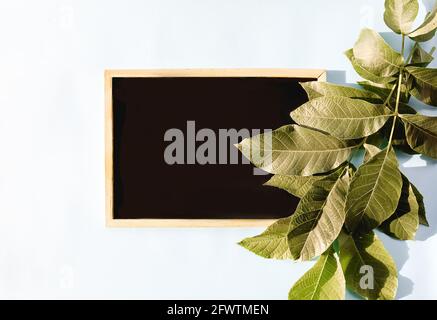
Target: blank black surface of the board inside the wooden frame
<point>143,108</point>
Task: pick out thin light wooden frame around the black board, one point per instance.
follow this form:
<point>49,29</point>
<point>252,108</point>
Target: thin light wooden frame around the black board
<point>109,74</point>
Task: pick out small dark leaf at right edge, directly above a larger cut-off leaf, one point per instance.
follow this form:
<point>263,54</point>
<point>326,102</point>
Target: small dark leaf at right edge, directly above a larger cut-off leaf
<point>425,84</point>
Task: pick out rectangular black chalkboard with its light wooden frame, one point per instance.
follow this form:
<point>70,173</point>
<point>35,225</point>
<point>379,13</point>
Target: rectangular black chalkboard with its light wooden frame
<point>158,173</point>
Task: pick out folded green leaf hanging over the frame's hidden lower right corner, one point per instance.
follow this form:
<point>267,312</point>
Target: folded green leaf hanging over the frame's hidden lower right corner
<point>318,219</point>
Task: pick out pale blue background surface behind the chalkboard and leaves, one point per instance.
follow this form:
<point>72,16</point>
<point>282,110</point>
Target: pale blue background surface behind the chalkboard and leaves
<point>53,242</point>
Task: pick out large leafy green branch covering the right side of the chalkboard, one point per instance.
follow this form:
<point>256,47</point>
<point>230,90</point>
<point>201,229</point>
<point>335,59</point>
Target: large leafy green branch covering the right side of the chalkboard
<point>310,158</point>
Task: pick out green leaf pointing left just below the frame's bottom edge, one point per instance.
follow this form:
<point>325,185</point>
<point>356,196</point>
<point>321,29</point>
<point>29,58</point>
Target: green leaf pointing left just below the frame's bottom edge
<point>272,243</point>
